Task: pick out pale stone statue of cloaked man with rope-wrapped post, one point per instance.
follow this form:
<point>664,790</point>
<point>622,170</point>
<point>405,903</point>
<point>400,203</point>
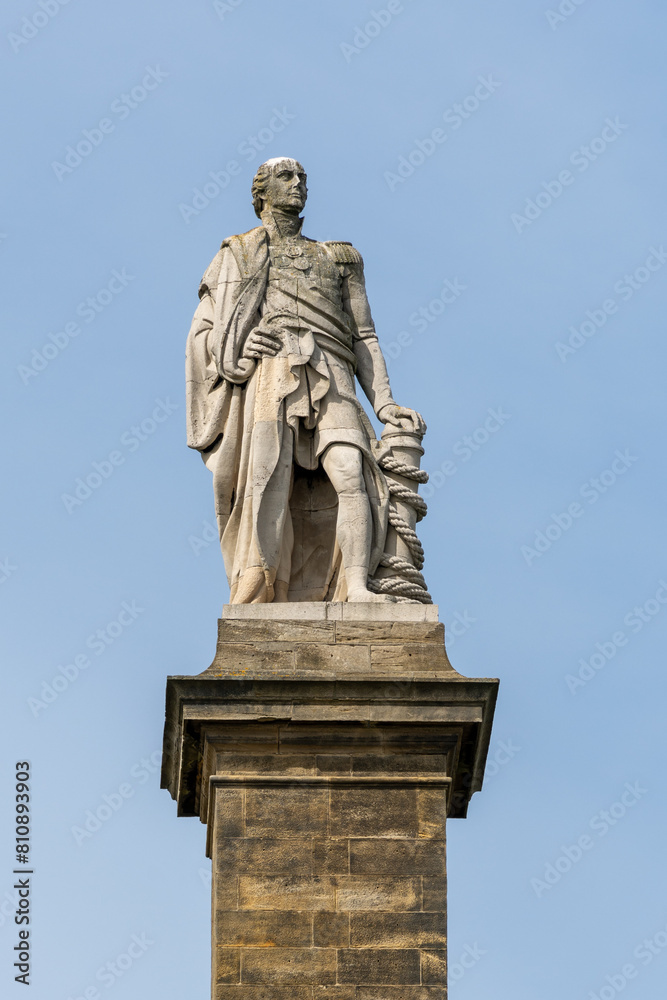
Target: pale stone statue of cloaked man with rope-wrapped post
<point>303,489</point>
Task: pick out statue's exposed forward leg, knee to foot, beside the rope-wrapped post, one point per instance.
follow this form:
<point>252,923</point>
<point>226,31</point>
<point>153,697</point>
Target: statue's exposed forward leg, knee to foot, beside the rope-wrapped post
<point>343,464</point>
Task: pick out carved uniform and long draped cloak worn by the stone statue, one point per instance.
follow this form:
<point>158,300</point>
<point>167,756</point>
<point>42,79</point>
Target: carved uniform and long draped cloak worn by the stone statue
<point>262,425</point>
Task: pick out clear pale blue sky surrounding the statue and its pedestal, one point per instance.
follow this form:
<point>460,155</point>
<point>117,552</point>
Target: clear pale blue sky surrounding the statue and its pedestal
<point>501,167</point>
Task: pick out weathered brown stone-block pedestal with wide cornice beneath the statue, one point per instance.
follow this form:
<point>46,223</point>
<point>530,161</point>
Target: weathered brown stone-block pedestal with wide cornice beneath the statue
<point>324,748</point>
